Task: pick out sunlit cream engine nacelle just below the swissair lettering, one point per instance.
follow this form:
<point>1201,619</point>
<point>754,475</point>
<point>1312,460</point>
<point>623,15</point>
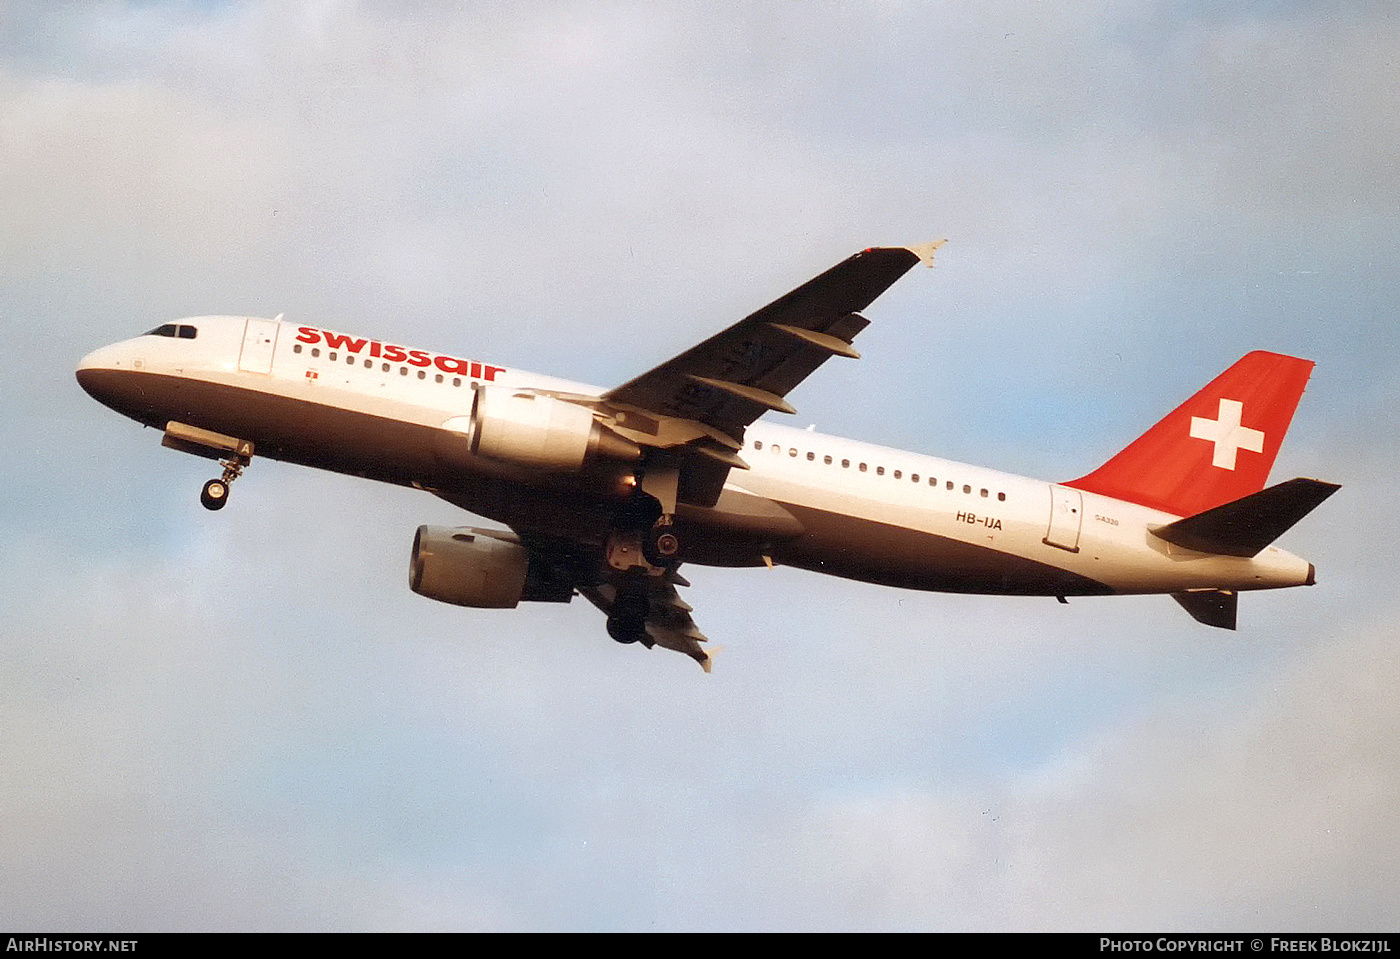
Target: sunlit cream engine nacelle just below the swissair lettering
<point>542,432</point>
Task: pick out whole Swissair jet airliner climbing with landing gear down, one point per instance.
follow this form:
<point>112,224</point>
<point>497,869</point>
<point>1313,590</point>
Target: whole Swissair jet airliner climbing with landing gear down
<point>607,493</point>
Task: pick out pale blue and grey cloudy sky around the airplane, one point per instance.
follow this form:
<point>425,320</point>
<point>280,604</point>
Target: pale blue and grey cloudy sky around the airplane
<point>247,722</point>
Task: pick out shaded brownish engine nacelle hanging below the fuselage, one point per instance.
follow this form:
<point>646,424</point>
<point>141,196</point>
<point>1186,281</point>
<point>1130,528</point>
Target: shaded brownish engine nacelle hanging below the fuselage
<point>468,568</point>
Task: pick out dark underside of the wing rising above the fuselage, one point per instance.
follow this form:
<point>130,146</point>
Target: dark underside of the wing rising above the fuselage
<point>736,377</point>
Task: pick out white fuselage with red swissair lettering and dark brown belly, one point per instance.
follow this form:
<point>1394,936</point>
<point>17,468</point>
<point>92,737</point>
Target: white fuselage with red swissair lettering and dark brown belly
<point>850,489</point>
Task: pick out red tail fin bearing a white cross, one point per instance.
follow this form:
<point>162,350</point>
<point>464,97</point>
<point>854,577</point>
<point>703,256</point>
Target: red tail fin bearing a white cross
<point>1216,447</point>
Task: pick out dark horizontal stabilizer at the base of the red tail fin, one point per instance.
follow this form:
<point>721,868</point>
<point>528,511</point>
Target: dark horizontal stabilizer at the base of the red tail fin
<point>1247,526</point>
